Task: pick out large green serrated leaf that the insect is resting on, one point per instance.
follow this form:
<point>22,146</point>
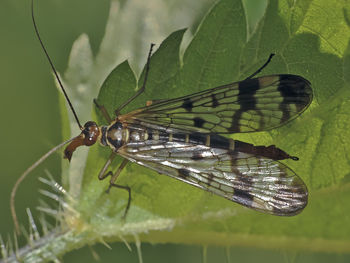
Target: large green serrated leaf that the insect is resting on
<point>311,39</point>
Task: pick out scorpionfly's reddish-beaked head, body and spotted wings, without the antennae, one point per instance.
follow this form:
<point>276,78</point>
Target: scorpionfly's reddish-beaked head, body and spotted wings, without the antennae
<point>181,138</point>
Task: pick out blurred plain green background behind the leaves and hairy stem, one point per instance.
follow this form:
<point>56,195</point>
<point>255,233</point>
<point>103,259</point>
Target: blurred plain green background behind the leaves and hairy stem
<point>31,122</point>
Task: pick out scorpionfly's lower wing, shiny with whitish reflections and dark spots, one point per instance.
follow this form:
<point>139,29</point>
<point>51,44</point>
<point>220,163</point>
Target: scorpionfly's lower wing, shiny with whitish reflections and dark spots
<point>255,182</point>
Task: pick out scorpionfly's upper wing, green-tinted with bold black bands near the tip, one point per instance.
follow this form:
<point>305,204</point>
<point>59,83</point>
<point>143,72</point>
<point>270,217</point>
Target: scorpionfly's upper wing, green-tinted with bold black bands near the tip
<point>251,105</point>
